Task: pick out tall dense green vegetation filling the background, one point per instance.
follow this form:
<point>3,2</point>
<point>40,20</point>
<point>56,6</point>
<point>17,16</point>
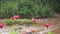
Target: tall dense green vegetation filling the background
<point>28,8</point>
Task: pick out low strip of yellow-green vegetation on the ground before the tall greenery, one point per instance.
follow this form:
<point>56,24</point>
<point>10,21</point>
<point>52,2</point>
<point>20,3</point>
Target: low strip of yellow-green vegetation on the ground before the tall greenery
<point>19,22</point>
